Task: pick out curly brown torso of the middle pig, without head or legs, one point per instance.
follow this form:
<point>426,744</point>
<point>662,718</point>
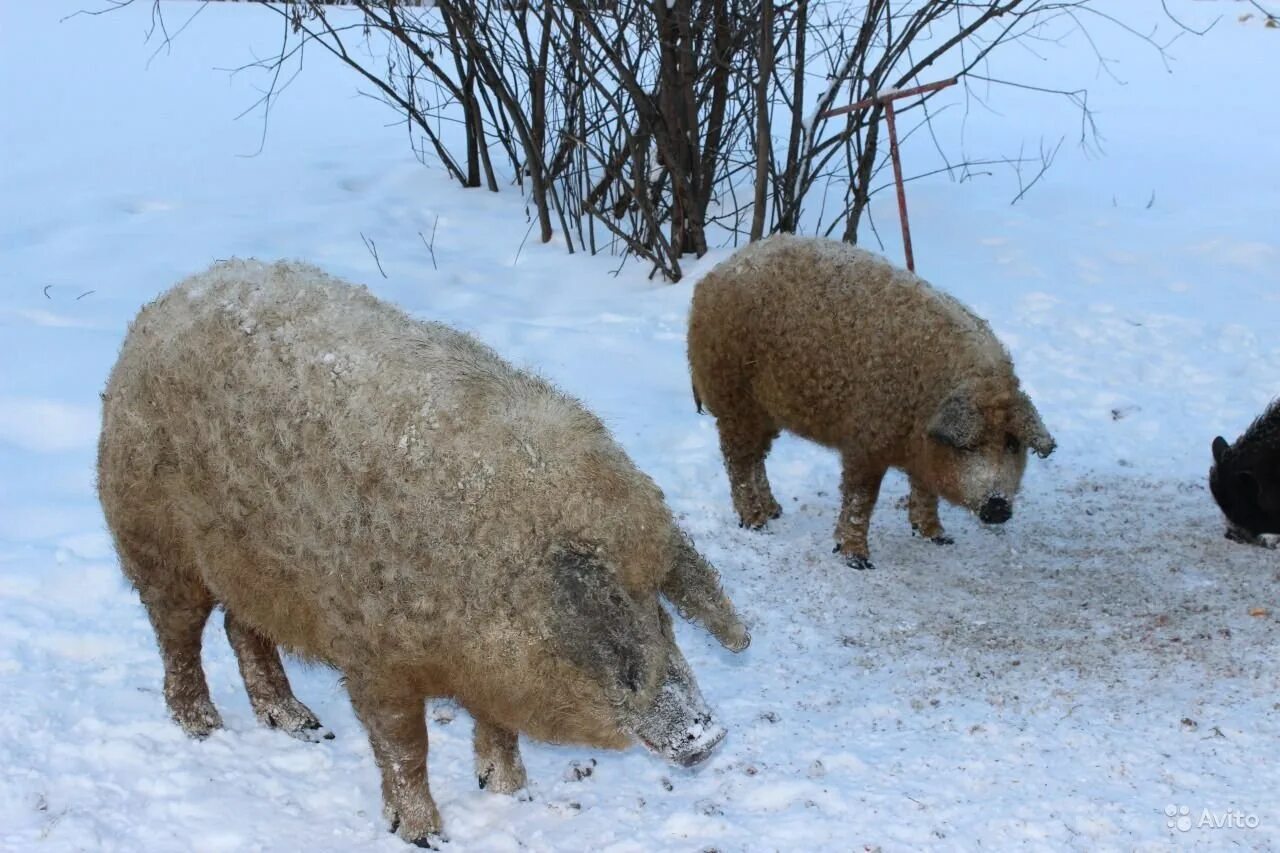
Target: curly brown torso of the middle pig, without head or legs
<point>831,341</point>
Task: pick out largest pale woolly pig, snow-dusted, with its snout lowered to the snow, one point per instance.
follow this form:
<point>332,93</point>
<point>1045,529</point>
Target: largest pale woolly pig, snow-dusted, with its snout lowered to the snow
<point>390,498</point>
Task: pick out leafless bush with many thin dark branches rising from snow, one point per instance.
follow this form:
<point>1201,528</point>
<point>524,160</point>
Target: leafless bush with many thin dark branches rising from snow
<point>642,127</point>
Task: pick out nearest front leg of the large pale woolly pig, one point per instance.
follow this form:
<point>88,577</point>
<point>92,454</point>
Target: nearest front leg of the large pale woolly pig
<point>397,732</point>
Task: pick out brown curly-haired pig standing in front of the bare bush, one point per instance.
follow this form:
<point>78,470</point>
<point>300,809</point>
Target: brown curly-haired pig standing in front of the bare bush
<point>835,344</point>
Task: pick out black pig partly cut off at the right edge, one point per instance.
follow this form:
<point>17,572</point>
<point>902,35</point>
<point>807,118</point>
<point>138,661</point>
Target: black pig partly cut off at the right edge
<point>1246,480</point>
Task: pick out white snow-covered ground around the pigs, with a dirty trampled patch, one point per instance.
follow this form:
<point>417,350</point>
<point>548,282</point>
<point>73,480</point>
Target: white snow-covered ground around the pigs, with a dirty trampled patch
<point>1054,685</point>
